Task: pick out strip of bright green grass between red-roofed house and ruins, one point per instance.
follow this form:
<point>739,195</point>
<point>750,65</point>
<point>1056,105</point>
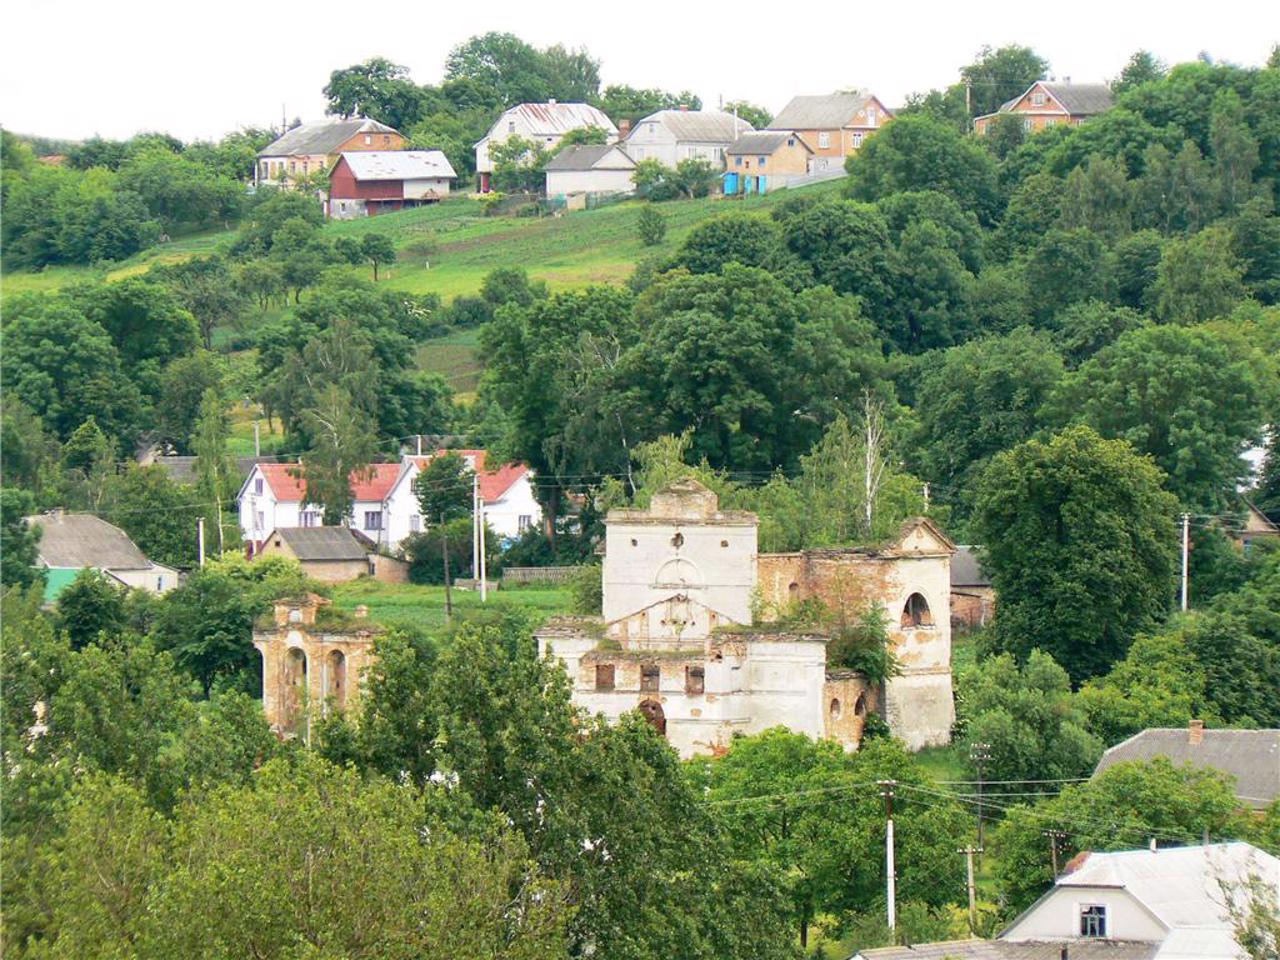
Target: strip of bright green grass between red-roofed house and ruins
<point>412,605</point>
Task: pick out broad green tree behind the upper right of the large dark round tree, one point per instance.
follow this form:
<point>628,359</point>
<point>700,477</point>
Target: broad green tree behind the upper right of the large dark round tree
<point>1187,397</point>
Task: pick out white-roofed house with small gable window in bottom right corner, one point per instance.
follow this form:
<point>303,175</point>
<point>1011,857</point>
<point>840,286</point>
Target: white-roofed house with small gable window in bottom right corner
<point>1155,904</point>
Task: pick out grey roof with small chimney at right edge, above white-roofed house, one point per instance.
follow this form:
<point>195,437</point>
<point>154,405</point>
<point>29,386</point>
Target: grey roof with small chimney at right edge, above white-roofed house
<point>1250,756</point>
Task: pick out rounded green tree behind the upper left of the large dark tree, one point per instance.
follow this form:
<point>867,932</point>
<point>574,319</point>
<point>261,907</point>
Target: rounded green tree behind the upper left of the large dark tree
<point>979,400</point>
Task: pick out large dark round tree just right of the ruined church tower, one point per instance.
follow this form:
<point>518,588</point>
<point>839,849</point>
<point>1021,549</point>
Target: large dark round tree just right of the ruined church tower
<point>1080,545</point>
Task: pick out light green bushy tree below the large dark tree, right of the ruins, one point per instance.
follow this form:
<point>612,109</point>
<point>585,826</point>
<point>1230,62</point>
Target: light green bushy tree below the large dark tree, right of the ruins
<point>1027,719</point>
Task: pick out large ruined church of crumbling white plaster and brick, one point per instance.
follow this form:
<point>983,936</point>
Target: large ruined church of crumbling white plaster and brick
<point>678,638</point>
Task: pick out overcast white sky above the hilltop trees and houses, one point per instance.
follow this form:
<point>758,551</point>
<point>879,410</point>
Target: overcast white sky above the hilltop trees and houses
<point>74,68</point>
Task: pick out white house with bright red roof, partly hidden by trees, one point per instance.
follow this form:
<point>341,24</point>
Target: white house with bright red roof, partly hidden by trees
<point>386,508</point>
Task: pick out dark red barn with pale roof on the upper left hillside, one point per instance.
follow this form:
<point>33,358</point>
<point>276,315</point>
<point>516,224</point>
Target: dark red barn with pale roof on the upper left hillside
<point>378,181</point>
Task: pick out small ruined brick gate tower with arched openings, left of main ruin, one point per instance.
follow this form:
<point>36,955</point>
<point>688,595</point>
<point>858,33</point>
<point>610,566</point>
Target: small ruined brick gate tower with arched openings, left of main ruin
<point>313,662</point>
